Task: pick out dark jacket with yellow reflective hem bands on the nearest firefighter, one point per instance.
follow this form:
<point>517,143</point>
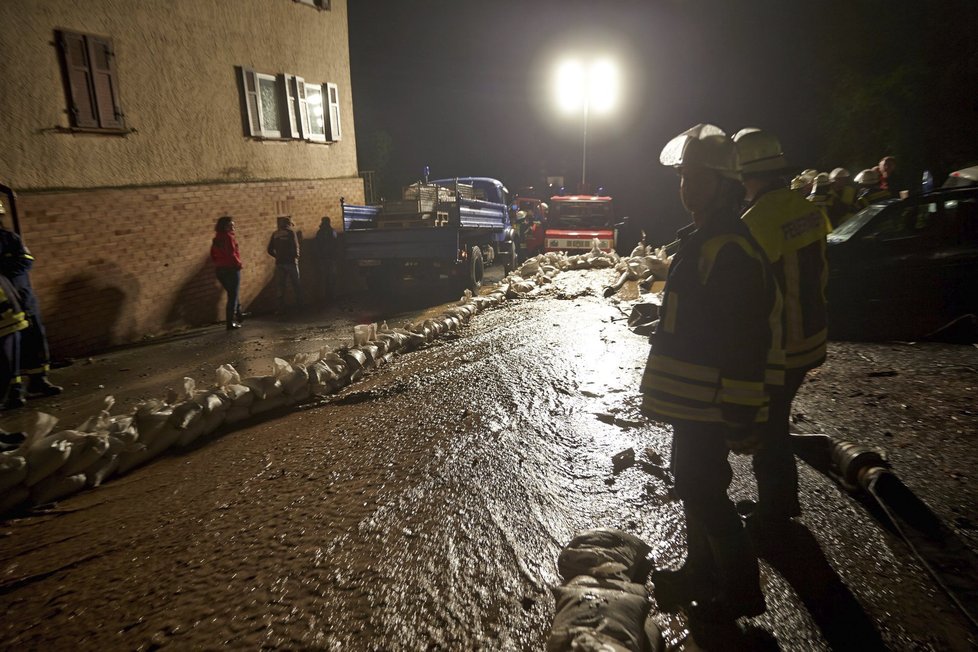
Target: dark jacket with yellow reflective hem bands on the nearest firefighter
<point>717,346</point>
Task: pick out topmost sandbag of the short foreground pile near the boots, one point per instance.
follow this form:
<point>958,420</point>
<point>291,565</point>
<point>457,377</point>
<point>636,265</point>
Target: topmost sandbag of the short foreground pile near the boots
<point>592,548</point>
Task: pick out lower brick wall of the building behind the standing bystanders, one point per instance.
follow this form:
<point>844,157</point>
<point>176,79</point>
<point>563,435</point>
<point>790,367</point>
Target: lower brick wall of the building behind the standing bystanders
<point>114,266</point>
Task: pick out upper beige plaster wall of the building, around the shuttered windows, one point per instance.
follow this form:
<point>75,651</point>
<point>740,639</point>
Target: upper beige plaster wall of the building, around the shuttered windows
<point>178,89</point>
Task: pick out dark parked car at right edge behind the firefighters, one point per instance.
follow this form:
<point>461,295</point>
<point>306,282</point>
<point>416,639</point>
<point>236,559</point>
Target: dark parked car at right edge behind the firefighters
<point>905,268</point>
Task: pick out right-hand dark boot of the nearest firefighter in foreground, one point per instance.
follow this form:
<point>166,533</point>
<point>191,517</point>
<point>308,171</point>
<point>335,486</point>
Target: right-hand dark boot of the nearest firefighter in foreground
<point>739,580</point>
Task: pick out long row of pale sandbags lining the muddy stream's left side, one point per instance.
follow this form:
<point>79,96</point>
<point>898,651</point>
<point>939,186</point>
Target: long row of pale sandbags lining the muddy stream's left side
<point>50,465</point>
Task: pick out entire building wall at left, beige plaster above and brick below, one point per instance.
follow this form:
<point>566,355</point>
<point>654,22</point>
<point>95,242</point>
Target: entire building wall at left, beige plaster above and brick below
<point>121,224</point>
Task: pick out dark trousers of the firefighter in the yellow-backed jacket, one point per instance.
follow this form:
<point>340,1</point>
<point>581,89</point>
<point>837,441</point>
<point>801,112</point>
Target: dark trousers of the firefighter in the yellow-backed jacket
<point>774,464</point>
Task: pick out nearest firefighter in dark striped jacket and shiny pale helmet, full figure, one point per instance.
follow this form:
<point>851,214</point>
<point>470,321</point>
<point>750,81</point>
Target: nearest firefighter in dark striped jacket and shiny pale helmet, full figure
<point>706,372</point>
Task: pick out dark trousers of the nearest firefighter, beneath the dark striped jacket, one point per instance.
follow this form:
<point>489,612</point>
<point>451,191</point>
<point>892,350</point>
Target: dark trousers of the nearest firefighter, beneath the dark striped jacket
<point>702,473</point>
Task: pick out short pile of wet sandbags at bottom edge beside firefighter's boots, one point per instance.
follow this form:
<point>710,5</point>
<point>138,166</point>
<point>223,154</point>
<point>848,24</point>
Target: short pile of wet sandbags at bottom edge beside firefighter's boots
<point>603,603</point>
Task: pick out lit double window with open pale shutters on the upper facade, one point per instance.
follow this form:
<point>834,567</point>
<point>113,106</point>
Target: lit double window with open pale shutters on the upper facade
<point>286,106</point>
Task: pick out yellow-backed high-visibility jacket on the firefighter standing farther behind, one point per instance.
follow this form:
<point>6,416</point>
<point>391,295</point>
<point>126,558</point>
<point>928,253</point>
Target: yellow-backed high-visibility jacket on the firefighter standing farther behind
<point>792,233</point>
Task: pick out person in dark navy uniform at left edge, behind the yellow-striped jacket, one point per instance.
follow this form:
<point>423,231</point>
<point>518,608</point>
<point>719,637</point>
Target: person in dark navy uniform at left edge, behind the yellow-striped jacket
<point>35,359</point>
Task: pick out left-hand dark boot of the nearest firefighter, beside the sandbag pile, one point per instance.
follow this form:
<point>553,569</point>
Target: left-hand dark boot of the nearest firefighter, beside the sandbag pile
<point>695,580</point>
